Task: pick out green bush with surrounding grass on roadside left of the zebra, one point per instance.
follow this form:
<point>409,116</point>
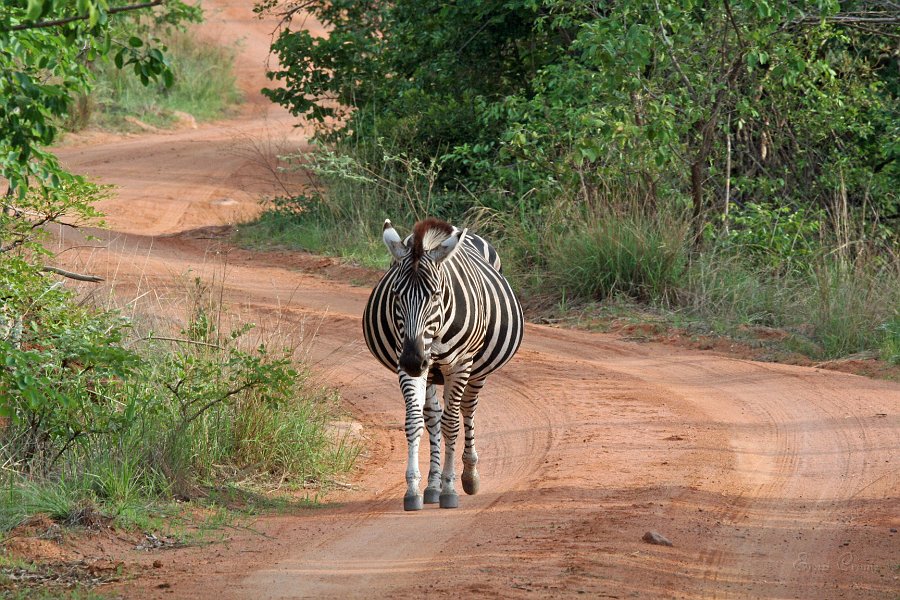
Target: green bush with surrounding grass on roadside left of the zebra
<point>96,415</point>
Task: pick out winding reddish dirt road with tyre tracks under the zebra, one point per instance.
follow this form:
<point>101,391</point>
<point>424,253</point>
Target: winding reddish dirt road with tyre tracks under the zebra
<point>771,481</point>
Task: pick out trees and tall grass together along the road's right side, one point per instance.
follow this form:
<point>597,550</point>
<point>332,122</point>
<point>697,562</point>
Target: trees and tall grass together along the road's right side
<point>731,165</point>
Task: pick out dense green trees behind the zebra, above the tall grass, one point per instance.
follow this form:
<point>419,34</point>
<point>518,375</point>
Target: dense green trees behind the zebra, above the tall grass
<point>789,102</point>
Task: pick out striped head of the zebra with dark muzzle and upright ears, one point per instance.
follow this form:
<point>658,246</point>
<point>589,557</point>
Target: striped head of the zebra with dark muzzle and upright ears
<point>420,292</point>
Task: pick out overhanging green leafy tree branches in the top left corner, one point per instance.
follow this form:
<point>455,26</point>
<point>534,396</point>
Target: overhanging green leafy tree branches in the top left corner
<point>46,47</point>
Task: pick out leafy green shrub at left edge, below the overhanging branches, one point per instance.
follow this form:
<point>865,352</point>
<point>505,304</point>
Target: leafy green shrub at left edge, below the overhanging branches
<point>60,365</point>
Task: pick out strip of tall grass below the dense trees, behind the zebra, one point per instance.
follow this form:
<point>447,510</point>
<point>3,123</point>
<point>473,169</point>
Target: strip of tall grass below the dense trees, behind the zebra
<point>821,277</point>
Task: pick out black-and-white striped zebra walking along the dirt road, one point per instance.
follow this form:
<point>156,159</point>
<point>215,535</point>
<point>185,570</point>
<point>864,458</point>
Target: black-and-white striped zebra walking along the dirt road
<point>443,314</point>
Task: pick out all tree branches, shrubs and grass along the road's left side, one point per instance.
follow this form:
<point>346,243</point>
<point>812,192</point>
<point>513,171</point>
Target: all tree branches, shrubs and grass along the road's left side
<point>105,416</point>
